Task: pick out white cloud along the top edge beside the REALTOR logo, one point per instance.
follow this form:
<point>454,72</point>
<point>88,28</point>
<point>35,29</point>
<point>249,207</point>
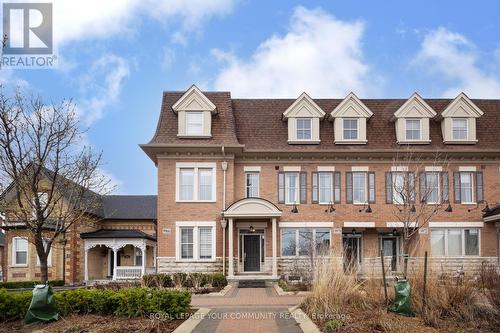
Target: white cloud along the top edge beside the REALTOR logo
<point>97,19</point>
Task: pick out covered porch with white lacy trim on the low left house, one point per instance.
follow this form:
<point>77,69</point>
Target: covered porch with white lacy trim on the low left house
<point>118,254</point>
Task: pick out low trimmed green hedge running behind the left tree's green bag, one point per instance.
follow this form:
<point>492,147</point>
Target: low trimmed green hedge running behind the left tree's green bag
<point>130,302</point>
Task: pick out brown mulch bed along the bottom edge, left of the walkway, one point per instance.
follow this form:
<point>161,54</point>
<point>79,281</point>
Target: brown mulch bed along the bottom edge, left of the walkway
<point>95,324</point>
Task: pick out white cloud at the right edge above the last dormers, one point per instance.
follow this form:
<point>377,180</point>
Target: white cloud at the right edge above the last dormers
<point>450,56</point>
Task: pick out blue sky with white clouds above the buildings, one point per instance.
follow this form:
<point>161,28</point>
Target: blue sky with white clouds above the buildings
<point>115,58</point>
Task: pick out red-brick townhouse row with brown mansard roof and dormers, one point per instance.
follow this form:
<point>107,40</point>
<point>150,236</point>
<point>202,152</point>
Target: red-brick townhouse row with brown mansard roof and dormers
<point>251,181</point>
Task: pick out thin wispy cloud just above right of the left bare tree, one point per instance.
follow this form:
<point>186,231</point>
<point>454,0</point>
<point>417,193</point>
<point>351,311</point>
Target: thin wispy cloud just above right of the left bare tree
<point>101,86</point>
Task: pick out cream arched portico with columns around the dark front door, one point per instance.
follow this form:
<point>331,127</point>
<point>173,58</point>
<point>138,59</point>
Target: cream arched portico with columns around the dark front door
<point>252,227</point>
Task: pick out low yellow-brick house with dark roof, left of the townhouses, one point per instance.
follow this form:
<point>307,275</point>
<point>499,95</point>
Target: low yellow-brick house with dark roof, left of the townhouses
<point>118,242</point>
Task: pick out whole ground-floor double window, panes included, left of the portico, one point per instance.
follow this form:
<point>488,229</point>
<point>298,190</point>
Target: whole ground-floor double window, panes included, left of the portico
<point>195,241</point>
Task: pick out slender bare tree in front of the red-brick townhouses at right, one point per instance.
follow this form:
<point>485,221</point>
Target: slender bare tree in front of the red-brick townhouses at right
<point>418,187</point>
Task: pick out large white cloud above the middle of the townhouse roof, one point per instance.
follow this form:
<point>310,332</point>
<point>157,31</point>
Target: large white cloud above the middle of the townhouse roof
<point>319,54</point>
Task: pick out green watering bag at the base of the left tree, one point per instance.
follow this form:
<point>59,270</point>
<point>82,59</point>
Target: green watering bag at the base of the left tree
<point>42,307</point>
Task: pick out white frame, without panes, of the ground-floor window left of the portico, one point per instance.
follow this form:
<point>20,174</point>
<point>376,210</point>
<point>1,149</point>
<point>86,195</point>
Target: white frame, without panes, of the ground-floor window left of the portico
<point>196,242</point>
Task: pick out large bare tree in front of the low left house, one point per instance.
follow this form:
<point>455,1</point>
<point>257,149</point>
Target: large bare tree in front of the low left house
<point>54,180</point>
